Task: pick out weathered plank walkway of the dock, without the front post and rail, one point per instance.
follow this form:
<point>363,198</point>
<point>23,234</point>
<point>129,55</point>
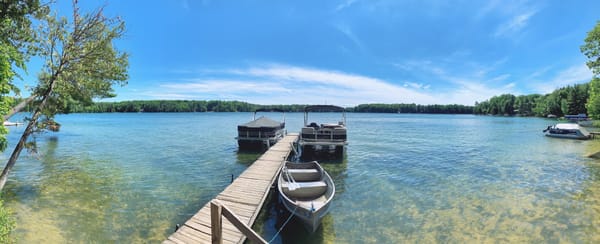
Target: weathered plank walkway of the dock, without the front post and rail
<point>245,197</point>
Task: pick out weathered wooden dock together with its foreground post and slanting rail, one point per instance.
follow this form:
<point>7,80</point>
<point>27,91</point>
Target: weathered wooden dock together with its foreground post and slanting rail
<point>251,189</point>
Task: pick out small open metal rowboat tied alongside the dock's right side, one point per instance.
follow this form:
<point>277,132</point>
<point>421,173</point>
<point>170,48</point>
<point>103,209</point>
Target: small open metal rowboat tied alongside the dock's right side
<point>306,190</point>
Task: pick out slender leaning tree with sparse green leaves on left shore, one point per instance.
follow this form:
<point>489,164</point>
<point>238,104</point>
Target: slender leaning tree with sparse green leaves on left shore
<point>81,65</point>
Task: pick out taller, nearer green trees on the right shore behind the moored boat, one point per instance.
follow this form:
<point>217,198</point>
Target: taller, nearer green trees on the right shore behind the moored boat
<point>562,101</point>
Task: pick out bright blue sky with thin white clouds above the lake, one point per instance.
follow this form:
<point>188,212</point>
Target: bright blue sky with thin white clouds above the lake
<point>348,52</point>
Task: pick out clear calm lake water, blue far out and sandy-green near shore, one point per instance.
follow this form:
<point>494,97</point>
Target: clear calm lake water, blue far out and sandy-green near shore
<point>130,178</point>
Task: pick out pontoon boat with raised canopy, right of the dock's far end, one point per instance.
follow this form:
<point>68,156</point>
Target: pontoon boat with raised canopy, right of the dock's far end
<point>329,137</point>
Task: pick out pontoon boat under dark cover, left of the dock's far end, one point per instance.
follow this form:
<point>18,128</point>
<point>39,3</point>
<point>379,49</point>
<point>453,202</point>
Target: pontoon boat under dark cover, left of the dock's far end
<point>262,132</point>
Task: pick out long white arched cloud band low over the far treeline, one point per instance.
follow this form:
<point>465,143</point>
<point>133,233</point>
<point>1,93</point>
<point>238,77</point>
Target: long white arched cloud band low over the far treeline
<point>277,84</point>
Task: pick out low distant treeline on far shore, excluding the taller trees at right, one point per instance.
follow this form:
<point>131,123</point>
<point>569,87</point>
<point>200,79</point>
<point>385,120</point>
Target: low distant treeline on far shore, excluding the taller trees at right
<point>237,106</point>
